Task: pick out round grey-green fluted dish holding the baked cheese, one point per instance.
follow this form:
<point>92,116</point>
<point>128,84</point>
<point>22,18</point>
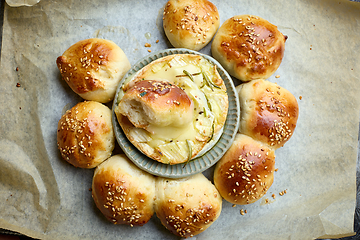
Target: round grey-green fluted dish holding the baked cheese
<point>200,163</point>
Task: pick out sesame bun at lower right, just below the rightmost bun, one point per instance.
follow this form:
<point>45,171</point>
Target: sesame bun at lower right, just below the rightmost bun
<point>246,171</point>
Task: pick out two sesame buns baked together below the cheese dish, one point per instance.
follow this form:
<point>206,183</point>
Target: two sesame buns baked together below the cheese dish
<point>127,195</point>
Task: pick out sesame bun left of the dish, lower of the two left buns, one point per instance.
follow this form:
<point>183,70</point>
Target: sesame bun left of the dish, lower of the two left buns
<point>85,134</point>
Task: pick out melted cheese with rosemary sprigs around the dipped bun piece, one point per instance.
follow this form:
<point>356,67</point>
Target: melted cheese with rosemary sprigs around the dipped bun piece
<point>171,141</point>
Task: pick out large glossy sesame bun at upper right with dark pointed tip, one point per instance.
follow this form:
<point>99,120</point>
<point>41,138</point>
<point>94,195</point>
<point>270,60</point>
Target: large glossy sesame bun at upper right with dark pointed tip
<point>249,47</point>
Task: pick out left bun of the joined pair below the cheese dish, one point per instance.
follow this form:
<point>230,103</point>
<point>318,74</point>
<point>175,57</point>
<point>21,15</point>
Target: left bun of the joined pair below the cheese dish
<point>122,192</point>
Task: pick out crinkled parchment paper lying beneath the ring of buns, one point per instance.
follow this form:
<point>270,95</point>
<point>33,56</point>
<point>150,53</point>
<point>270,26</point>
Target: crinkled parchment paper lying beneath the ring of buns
<point>44,197</point>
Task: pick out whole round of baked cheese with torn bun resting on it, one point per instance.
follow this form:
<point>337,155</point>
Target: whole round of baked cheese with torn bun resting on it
<point>173,109</point>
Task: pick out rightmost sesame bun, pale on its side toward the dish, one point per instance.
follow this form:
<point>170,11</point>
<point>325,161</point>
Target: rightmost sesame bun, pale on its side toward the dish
<point>269,112</point>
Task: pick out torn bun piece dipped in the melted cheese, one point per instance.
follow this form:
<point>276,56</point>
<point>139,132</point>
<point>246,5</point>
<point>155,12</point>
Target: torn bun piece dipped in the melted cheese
<point>156,102</point>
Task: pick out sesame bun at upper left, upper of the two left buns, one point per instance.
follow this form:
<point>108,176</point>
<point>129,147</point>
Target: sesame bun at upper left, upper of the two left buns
<point>93,68</point>
